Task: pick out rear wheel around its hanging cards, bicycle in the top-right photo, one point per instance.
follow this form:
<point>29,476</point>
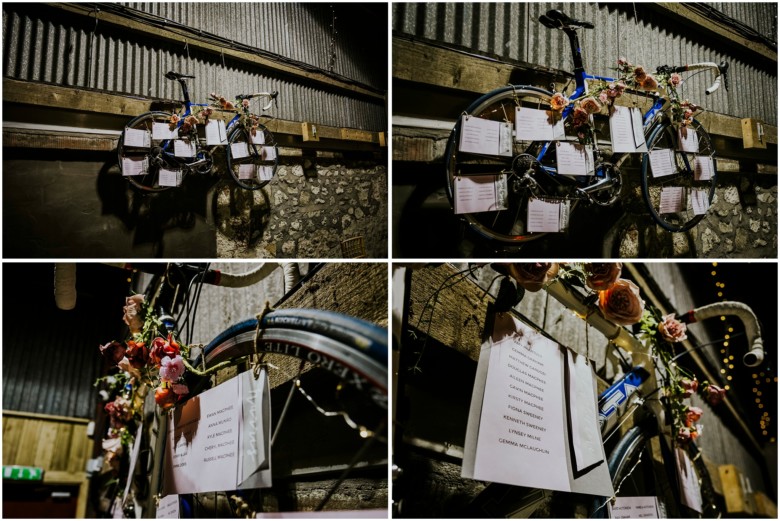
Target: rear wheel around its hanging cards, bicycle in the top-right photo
<point>525,176</point>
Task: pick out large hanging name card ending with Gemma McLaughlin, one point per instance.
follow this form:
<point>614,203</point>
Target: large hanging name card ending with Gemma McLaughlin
<point>525,415</point>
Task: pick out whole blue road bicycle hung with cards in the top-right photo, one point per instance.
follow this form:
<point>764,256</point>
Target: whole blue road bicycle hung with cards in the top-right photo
<point>523,176</point>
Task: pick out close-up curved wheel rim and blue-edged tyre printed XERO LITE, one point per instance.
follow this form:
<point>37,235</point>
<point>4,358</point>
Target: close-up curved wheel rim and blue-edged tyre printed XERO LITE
<point>352,349</point>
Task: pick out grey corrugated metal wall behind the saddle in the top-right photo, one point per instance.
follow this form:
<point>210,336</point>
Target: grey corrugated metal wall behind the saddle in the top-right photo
<point>512,31</point>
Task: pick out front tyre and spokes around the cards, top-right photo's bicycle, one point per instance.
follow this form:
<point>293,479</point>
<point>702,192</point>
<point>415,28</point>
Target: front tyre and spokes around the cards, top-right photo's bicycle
<point>664,136</point>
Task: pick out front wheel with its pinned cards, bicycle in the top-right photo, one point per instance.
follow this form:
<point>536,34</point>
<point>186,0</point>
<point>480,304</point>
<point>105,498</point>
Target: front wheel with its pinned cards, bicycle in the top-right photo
<point>678,194</point>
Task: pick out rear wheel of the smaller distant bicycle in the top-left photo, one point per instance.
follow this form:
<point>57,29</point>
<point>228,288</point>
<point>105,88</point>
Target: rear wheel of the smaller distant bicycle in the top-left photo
<point>140,162</point>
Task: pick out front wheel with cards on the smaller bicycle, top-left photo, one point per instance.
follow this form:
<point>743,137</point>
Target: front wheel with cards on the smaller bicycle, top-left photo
<point>252,160</point>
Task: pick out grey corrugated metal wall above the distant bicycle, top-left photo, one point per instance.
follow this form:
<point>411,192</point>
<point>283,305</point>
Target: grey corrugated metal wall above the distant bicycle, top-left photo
<point>43,44</point>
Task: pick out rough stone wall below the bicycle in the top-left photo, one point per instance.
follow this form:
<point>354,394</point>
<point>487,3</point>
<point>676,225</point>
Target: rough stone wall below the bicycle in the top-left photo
<point>308,210</point>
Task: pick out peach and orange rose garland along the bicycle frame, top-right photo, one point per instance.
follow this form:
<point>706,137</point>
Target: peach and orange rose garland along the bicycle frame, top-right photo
<point>602,94</point>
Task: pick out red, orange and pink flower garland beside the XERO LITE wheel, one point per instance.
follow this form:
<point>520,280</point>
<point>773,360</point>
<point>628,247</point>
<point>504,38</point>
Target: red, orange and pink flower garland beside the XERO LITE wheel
<point>145,360</point>
